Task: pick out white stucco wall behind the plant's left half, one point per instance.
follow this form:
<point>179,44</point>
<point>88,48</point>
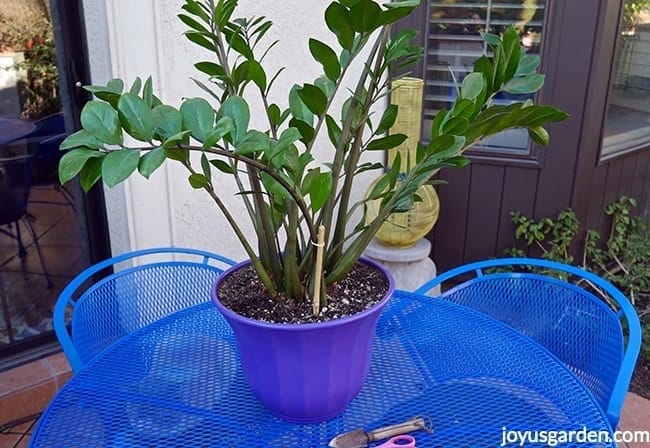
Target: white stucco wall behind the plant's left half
<point>139,38</point>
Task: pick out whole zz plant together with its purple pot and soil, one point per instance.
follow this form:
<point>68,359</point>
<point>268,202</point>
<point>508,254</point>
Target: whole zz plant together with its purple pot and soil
<point>303,307</point>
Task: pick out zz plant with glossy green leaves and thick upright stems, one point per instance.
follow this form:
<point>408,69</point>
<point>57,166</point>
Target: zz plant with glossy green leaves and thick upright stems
<point>287,194</point>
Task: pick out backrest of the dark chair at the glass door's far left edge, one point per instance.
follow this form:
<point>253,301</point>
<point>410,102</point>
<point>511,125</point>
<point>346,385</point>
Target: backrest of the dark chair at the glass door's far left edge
<point>15,183</point>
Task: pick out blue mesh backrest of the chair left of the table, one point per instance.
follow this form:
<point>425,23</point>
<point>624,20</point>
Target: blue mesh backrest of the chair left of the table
<point>145,286</point>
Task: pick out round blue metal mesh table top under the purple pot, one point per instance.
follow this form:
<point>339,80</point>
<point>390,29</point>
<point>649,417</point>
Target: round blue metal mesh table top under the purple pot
<point>177,383</point>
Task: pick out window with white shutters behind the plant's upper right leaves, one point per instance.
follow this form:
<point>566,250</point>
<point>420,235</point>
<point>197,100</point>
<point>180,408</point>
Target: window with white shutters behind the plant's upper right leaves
<point>454,42</point>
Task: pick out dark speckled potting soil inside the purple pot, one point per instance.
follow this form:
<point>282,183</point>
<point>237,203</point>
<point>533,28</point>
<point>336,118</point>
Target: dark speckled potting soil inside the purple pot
<point>243,293</point>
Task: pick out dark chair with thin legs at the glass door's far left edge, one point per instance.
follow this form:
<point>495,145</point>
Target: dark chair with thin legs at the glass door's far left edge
<point>15,184</point>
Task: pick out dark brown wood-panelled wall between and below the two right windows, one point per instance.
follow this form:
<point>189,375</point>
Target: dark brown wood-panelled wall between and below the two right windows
<point>475,220</point>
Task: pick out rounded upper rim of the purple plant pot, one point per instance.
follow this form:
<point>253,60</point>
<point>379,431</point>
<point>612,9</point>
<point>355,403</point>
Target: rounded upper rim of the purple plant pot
<point>306,326</point>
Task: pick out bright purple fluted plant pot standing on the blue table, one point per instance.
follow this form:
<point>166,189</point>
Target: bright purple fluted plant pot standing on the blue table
<point>305,373</point>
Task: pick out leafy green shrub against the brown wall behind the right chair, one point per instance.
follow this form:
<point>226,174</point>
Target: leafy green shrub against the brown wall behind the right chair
<point>623,257</point>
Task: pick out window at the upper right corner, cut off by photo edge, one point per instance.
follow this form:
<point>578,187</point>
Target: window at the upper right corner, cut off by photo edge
<point>627,126</point>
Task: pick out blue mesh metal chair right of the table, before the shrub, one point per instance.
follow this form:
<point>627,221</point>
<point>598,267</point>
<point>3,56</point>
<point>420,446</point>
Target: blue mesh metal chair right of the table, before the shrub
<point>560,307</point>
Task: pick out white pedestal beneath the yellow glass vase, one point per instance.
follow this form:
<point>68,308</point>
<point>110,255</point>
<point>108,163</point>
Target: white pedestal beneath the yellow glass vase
<point>410,266</point>
